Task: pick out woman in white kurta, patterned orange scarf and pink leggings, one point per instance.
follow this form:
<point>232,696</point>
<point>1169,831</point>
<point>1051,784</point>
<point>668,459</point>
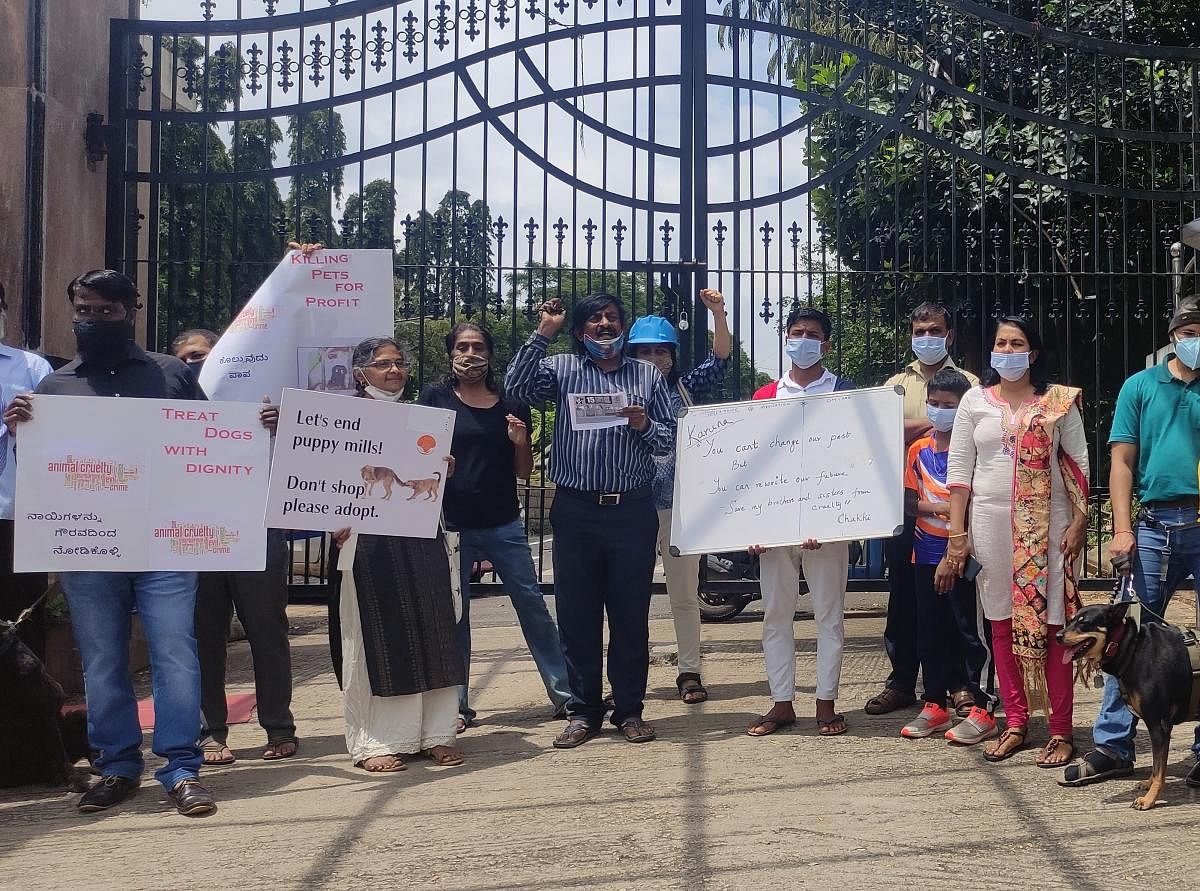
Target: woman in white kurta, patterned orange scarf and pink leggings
<point>1018,462</point>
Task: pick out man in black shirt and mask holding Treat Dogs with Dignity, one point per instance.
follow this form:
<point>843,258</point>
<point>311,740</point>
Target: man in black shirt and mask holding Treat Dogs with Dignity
<point>111,364</point>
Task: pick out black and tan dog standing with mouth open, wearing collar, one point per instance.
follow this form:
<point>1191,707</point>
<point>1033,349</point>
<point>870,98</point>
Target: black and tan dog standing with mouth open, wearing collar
<point>1154,672</point>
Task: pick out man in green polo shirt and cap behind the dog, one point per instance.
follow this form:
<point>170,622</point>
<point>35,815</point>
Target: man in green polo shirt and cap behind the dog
<point>1155,441</point>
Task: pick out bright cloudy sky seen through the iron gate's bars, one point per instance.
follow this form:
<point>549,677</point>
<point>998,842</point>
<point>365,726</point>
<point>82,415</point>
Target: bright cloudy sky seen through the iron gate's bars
<point>483,162</point>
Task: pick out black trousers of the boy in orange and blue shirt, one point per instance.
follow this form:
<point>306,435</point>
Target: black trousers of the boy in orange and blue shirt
<point>955,647</point>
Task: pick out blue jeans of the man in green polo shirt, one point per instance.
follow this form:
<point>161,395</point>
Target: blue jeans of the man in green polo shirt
<point>1115,726</point>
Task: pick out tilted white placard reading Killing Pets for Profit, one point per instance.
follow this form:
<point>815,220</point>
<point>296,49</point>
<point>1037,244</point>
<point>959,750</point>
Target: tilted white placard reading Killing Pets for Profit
<point>332,300</point>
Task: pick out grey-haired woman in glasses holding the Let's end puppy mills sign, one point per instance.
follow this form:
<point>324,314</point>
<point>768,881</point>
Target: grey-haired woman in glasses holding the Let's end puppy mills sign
<point>394,615</point>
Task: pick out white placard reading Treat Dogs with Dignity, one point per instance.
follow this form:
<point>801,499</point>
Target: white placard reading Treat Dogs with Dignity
<point>141,486</point>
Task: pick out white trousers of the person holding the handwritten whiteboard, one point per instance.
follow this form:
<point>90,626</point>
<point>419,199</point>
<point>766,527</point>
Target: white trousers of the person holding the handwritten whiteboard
<point>779,575</point>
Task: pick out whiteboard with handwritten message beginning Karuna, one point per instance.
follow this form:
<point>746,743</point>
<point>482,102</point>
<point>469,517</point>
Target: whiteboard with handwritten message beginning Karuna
<point>782,471</point>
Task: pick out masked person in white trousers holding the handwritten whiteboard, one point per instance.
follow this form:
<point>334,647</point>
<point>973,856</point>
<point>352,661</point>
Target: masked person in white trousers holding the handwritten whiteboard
<point>825,565</point>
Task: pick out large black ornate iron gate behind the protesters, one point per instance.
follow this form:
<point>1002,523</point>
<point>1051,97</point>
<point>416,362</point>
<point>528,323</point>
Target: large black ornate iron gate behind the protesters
<point>863,156</point>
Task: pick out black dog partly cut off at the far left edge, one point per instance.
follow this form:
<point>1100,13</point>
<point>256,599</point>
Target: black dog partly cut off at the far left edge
<point>38,743</point>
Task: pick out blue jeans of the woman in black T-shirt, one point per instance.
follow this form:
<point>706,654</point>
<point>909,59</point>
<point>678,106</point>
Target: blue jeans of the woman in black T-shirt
<point>508,549</point>
